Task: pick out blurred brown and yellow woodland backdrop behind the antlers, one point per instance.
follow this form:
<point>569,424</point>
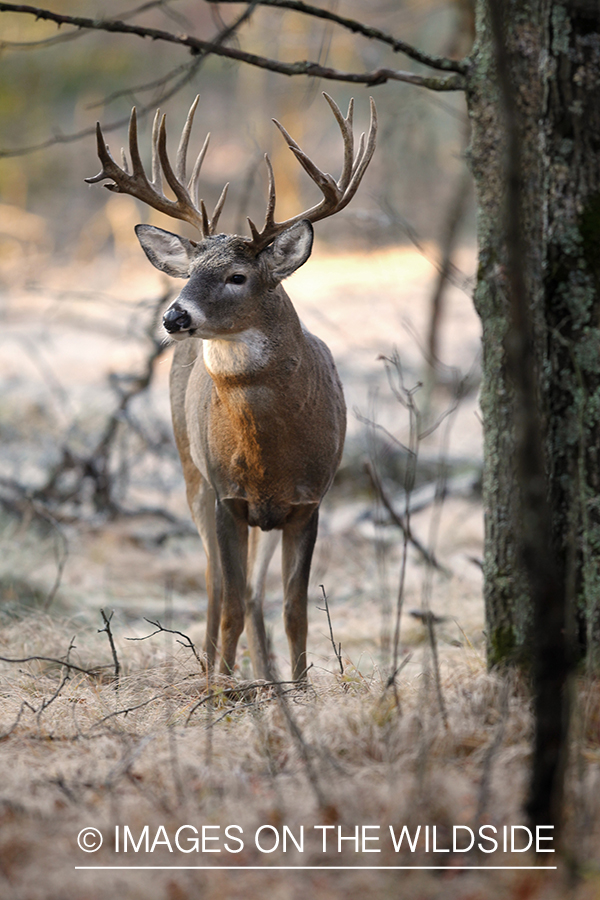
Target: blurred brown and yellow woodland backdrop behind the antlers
<point>56,84</point>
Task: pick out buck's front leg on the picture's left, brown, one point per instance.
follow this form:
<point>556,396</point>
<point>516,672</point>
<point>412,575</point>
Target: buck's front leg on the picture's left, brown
<point>232,537</point>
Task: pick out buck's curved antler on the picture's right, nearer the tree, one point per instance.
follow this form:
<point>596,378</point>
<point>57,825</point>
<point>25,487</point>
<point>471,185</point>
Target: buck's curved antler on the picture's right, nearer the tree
<point>336,194</point>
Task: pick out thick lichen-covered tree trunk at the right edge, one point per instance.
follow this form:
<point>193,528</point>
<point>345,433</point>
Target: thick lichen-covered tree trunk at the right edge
<point>554,52</point>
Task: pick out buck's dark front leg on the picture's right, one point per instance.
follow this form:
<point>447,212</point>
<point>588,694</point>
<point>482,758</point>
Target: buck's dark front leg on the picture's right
<point>299,536</point>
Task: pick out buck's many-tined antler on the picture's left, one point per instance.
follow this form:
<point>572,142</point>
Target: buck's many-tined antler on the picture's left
<point>136,183</point>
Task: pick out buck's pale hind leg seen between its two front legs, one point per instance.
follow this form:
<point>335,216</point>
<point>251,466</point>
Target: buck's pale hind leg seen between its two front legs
<point>262,546</point>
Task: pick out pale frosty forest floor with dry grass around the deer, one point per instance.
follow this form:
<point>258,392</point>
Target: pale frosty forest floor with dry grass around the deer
<point>445,746</point>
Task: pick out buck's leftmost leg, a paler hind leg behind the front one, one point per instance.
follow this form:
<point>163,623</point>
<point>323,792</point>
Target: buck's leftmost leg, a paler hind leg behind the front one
<point>202,505</point>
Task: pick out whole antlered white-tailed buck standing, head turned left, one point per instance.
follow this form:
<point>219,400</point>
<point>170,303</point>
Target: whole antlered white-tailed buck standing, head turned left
<point>258,408</point>
